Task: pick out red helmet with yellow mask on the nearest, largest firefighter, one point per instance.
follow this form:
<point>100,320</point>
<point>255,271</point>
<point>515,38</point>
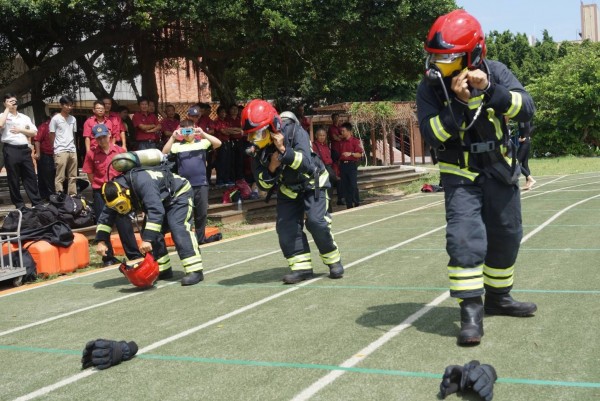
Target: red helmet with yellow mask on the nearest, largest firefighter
<point>455,41</point>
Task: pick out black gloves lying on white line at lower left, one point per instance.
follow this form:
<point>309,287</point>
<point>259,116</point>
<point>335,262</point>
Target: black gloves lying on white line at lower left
<point>106,353</point>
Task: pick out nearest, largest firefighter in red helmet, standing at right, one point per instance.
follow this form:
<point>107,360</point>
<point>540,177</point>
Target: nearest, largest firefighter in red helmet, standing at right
<point>461,105</point>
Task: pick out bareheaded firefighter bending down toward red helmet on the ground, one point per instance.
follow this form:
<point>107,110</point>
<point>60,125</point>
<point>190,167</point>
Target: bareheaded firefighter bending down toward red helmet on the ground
<point>163,197</point>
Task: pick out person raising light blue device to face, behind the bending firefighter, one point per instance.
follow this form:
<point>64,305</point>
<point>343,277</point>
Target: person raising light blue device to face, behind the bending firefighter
<point>189,145</point>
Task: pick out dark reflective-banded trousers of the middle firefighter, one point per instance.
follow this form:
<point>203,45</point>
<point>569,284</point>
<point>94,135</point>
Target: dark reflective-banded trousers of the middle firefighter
<point>290,229</point>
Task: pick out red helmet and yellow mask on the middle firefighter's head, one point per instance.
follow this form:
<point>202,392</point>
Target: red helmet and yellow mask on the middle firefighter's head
<point>259,120</point>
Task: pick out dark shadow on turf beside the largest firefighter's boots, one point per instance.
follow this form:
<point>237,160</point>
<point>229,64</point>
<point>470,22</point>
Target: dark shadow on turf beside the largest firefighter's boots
<point>441,320</point>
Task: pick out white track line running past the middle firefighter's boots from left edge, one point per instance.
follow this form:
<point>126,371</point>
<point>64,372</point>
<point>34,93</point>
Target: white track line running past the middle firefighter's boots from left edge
<point>53,318</point>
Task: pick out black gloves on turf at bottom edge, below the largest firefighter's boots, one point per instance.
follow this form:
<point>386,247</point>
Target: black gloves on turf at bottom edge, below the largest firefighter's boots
<point>472,376</point>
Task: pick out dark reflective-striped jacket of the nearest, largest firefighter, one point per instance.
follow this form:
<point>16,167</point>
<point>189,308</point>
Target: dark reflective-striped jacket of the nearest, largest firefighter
<point>486,147</point>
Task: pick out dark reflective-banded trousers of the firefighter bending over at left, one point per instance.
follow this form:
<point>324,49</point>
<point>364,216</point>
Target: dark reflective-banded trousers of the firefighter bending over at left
<point>178,213</point>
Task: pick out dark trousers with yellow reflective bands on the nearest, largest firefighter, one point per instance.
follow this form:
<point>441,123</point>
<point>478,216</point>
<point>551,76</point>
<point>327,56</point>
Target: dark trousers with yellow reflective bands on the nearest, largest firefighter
<point>483,234</point>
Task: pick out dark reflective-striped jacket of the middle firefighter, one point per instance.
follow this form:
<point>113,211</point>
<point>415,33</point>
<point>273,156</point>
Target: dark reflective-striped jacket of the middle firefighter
<point>300,169</point>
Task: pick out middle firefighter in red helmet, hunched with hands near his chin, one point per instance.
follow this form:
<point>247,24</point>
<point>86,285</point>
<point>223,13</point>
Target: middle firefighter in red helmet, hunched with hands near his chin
<point>284,162</point>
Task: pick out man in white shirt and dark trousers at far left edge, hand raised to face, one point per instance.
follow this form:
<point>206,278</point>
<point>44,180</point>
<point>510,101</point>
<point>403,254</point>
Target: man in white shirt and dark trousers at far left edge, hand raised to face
<point>16,129</point>
